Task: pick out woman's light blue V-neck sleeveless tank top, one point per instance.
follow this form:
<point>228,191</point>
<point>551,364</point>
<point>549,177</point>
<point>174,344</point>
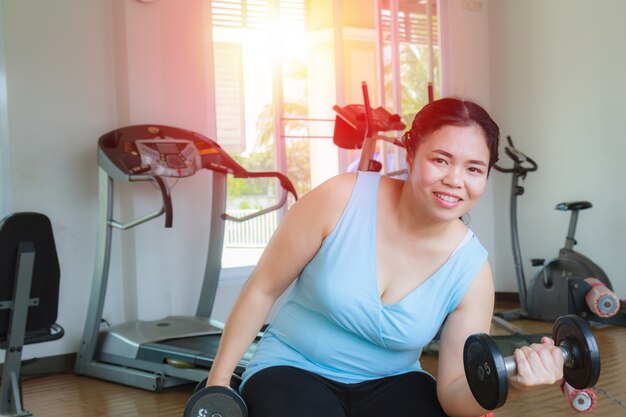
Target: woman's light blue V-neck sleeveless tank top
<point>333,322</point>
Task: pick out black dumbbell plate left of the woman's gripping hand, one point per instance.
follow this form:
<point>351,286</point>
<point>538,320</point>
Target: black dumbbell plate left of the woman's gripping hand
<point>485,371</point>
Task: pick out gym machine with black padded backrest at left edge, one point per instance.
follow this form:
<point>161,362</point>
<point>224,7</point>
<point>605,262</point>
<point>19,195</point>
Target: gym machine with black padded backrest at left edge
<point>29,298</point>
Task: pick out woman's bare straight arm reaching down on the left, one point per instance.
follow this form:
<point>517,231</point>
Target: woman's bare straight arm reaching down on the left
<point>293,244</point>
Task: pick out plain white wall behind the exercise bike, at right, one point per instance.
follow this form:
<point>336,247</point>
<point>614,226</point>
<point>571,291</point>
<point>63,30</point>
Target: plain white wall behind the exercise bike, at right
<point>558,87</point>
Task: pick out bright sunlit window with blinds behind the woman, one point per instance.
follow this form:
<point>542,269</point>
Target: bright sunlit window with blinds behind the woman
<point>277,77</point>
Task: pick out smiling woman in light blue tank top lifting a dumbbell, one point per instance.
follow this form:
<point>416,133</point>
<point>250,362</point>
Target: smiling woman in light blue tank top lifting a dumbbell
<point>377,265</point>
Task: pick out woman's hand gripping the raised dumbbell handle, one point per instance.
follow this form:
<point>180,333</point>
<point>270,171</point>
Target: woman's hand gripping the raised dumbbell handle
<point>538,364</point>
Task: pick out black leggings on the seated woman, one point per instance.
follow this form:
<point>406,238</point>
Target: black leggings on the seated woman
<point>284,391</point>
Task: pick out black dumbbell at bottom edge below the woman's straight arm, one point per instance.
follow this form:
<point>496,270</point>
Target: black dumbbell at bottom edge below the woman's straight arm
<point>215,402</point>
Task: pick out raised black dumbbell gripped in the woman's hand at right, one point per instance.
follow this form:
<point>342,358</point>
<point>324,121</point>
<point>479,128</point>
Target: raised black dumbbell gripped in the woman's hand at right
<point>487,371</point>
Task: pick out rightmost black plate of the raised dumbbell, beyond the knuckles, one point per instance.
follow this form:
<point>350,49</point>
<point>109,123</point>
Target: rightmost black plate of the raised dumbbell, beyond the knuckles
<point>585,370</point>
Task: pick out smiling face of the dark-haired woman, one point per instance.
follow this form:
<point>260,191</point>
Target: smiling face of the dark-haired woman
<point>448,172</point>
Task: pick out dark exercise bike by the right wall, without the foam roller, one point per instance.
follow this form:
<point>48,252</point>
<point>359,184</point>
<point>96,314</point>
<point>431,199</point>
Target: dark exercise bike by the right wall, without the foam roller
<point>547,298</point>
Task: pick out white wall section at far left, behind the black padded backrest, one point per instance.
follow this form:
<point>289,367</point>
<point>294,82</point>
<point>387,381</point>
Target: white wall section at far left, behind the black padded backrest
<point>61,97</point>
